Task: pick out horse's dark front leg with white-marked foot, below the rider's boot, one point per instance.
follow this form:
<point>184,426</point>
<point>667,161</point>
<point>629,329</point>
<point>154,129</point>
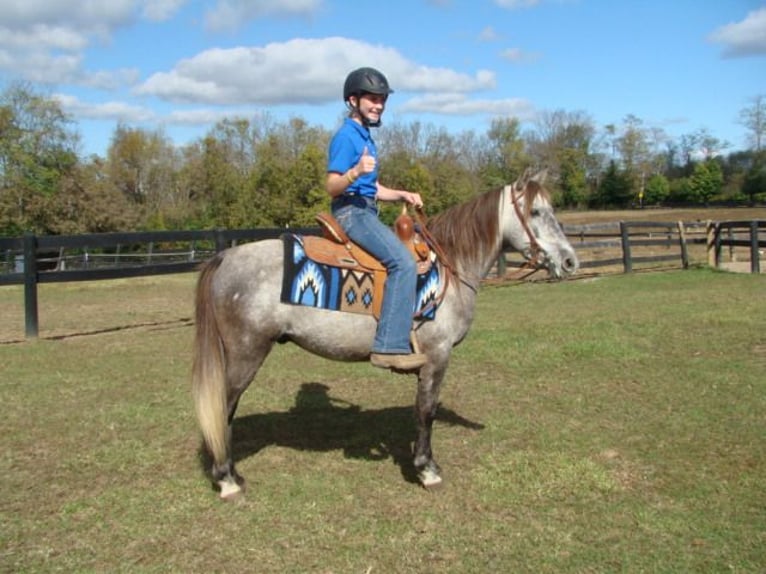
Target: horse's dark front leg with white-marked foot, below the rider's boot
<point>429,384</point>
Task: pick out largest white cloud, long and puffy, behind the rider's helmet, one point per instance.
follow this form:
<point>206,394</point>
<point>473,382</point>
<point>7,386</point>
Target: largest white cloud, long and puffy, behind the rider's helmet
<point>297,71</point>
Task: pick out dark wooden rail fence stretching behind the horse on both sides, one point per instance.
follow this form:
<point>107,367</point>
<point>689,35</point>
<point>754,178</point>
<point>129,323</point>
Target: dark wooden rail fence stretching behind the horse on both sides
<point>30,260</point>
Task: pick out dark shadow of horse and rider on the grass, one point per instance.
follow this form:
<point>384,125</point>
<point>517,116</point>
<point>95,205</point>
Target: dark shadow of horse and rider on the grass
<point>319,422</point>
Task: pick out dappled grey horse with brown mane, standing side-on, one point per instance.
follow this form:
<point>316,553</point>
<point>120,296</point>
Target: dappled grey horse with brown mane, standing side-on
<point>239,315</point>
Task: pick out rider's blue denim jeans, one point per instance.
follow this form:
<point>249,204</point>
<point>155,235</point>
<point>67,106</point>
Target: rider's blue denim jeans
<point>358,216</point>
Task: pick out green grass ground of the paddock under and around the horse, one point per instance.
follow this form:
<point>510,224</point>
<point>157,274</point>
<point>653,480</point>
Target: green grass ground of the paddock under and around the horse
<point>604,425</point>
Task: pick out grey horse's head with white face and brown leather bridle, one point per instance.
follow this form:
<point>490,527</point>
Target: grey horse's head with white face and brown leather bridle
<point>530,227</point>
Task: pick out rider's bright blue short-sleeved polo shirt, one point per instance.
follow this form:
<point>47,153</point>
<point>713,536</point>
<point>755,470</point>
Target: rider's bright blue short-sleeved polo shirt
<point>346,148</point>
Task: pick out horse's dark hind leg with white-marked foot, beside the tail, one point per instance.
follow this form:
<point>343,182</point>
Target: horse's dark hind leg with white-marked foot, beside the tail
<point>240,371</point>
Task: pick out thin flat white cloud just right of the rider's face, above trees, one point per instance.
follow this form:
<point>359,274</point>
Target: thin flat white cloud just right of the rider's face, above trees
<point>460,105</point>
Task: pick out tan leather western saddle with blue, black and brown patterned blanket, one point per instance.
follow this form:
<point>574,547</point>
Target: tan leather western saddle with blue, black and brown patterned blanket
<point>332,272</point>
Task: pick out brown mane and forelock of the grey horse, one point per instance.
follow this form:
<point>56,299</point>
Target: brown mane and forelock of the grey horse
<point>469,230</point>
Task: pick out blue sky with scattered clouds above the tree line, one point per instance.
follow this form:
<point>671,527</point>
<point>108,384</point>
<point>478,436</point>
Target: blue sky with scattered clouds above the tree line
<point>180,66</point>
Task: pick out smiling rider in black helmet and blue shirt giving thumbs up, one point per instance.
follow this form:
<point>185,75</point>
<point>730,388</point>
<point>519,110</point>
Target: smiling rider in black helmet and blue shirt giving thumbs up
<point>352,182</point>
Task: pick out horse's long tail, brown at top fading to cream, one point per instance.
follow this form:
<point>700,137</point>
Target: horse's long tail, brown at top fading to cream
<point>208,370</point>
